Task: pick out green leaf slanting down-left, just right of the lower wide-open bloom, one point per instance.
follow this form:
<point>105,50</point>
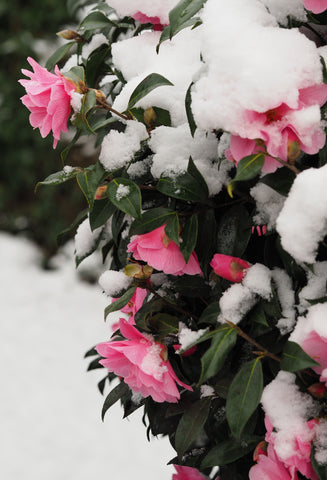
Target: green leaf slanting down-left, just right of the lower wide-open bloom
<point>214,358</point>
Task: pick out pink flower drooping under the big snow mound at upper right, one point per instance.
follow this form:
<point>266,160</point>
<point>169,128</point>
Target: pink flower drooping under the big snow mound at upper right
<point>281,131</point>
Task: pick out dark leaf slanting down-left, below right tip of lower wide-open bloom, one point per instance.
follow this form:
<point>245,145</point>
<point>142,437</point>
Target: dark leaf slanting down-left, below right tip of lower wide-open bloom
<point>191,425</point>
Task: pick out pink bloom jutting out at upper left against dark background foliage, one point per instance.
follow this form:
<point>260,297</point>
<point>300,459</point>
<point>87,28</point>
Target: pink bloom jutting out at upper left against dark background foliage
<point>48,98</point>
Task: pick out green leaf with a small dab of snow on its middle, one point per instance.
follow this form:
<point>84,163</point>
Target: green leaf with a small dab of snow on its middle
<point>126,196</point>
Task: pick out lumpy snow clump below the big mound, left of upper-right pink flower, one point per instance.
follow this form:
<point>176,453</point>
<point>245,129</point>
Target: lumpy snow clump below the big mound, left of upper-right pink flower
<point>173,147</point>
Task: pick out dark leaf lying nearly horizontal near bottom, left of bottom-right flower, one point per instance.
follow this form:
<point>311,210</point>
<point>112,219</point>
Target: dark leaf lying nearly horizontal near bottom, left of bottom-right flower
<point>229,451</point>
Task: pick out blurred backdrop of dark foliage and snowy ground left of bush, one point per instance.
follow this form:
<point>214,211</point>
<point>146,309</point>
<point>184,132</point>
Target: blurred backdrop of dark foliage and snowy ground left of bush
<point>50,407</point>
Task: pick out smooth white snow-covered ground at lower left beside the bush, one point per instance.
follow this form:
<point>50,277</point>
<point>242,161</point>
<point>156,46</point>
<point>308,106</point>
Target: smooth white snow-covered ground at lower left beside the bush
<point>50,407</point>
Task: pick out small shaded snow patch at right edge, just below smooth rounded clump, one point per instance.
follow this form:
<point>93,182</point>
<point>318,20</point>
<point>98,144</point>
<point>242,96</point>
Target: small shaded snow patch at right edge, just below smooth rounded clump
<point>316,286</point>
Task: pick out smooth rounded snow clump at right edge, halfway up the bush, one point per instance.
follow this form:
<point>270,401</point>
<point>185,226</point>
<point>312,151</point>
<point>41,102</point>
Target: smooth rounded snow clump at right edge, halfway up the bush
<point>302,222</point>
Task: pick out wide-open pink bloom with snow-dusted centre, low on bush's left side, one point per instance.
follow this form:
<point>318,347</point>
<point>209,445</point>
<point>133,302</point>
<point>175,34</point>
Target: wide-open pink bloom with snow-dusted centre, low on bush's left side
<point>142,363</point>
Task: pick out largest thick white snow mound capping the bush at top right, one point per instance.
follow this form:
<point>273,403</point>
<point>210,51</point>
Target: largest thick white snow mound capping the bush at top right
<point>238,76</point>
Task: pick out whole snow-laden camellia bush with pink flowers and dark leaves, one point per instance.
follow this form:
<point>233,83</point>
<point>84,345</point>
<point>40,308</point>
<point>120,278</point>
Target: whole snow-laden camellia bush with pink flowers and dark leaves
<point>208,203</point>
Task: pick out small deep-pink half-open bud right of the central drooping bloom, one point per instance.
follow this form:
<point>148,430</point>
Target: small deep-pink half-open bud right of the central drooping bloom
<point>231,268</point>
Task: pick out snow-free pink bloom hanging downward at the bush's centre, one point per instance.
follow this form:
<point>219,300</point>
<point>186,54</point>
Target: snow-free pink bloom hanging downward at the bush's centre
<point>162,253</point>
